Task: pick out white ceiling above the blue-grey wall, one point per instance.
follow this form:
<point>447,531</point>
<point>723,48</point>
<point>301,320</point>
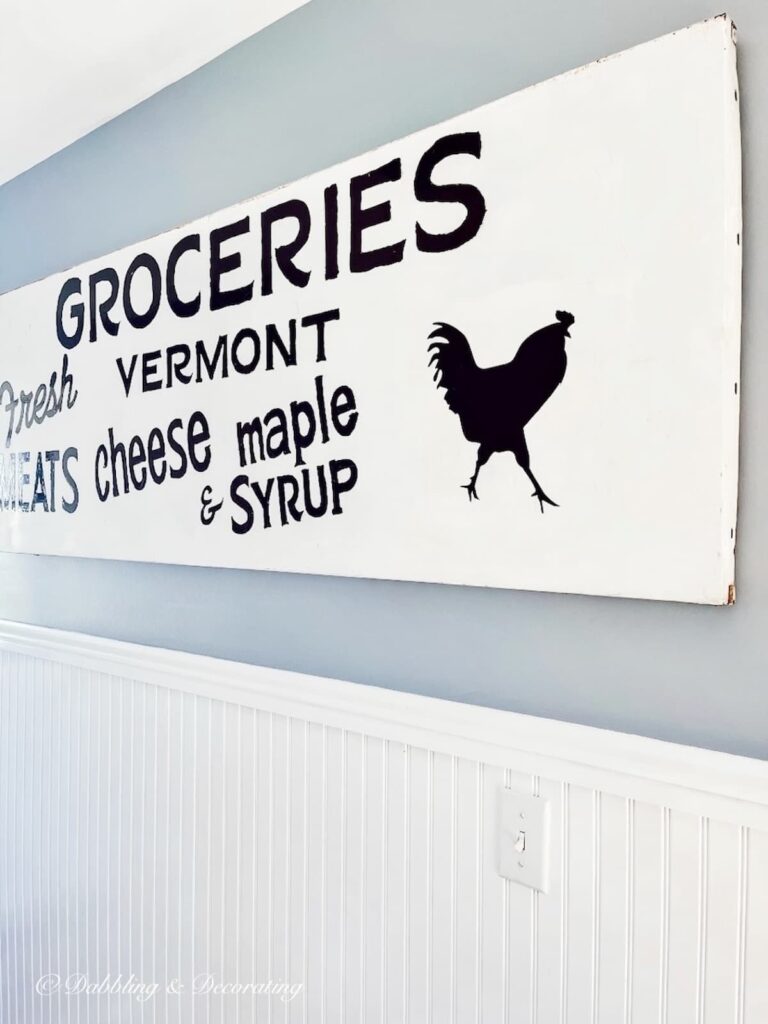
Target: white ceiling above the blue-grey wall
<point>68,67</point>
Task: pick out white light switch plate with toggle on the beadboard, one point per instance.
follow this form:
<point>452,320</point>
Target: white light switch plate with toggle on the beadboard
<point>524,839</point>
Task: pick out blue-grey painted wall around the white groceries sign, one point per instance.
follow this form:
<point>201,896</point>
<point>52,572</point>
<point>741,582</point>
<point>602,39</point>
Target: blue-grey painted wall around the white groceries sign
<point>335,79</point>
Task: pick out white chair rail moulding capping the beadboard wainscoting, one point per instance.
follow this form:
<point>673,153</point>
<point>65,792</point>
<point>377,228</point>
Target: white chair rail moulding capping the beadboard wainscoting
<point>718,786</point>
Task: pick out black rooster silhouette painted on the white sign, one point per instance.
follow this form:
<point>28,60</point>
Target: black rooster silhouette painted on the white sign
<point>495,404</point>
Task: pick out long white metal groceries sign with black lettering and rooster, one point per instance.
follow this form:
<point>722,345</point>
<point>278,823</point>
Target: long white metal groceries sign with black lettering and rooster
<point>502,352</point>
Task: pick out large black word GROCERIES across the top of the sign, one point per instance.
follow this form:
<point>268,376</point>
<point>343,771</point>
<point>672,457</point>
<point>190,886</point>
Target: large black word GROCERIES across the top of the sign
<point>288,244</point>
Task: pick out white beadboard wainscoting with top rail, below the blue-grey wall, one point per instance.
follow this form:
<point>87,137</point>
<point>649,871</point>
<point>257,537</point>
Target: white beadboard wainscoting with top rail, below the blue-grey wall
<point>166,817</point>
